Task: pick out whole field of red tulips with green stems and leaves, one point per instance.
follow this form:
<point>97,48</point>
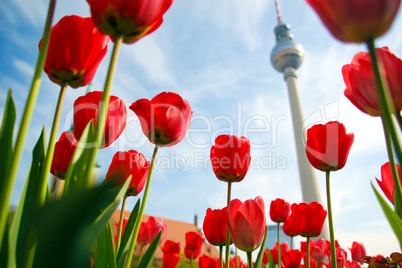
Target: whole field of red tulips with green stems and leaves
<point>74,229</point>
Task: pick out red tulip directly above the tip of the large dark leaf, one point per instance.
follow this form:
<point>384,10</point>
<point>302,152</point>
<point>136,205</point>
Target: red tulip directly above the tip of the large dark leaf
<point>125,164</point>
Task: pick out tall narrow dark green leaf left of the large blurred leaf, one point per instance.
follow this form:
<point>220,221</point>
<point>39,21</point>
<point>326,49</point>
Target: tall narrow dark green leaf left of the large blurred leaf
<point>26,238</point>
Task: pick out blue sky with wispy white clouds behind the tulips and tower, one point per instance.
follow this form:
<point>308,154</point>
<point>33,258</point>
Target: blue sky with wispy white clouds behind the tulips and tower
<point>216,54</point>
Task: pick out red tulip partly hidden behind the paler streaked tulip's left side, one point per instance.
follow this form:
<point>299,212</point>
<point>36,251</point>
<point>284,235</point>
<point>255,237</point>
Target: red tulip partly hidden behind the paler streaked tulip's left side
<point>215,226</point>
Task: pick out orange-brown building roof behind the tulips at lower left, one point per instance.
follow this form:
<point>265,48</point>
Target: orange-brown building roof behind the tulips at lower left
<point>176,231</point>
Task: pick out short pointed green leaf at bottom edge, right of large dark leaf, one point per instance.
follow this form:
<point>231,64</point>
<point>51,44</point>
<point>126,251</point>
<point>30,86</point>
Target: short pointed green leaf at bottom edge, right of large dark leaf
<point>105,249</point>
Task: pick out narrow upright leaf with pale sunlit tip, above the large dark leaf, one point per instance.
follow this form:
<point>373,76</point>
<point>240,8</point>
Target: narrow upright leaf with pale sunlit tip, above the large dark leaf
<point>76,169</point>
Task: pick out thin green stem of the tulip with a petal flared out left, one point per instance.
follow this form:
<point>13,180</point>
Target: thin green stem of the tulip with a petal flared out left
<point>141,213</point>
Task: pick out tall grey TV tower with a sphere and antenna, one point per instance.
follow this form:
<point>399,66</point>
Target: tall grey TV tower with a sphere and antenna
<point>286,57</point>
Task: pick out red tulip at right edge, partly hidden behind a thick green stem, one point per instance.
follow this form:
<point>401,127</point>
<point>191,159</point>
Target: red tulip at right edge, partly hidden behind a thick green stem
<point>361,88</point>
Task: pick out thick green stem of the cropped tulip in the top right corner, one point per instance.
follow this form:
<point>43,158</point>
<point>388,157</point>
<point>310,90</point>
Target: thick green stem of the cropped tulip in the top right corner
<point>386,103</point>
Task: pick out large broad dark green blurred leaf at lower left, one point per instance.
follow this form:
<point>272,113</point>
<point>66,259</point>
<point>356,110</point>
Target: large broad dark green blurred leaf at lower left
<point>73,223</point>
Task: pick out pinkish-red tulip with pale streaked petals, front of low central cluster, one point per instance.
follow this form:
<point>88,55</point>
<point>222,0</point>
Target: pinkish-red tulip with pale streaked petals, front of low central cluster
<point>246,223</point>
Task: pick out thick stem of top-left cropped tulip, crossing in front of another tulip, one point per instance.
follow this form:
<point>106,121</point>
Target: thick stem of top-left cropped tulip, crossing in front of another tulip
<point>104,104</point>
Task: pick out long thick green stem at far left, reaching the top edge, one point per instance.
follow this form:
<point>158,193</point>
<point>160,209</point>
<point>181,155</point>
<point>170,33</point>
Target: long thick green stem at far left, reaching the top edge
<point>5,192</point>
